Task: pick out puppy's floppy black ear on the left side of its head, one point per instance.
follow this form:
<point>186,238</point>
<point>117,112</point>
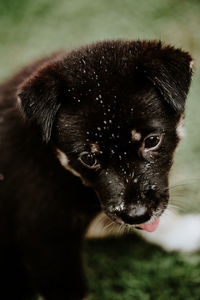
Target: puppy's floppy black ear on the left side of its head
<point>40,97</point>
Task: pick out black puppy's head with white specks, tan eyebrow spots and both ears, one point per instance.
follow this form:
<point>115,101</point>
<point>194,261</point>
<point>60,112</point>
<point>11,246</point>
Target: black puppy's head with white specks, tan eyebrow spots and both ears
<point>112,111</point>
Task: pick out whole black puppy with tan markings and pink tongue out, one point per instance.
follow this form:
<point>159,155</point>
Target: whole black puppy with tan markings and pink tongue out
<point>94,129</point>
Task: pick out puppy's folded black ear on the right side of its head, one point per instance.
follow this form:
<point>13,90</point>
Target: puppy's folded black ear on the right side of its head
<point>170,71</point>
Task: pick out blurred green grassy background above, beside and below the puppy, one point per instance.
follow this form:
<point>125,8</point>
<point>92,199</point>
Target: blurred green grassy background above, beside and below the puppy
<point>31,29</point>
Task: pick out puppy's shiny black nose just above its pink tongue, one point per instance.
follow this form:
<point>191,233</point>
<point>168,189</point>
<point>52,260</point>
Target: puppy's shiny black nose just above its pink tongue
<point>134,215</point>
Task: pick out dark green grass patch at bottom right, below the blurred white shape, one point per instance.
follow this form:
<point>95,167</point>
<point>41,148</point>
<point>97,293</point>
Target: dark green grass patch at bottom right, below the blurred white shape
<point>128,268</point>
